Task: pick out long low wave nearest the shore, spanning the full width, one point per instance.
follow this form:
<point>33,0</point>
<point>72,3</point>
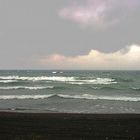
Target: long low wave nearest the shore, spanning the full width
<point>84,96</point>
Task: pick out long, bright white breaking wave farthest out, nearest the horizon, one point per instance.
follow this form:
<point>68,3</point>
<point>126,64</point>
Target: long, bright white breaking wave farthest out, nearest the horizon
<point>69,80</point>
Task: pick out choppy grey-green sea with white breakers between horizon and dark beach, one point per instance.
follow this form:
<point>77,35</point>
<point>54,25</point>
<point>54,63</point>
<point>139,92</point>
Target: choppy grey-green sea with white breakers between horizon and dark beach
<point>70,91</point>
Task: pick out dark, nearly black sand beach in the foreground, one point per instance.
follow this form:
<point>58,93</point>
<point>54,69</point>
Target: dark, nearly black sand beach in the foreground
<point>63,126</point>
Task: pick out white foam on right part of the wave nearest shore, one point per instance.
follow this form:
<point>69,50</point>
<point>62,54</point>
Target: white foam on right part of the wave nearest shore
<point>94,97</point>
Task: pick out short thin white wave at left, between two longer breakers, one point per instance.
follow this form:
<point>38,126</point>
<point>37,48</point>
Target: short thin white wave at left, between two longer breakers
<point>23,87</point>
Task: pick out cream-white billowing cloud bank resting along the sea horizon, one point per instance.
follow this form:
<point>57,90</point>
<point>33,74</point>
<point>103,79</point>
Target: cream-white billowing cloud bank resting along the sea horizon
<point>126,58</point>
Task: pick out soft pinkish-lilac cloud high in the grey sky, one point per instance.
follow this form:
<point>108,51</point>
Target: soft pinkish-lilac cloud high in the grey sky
<point>101,13</point>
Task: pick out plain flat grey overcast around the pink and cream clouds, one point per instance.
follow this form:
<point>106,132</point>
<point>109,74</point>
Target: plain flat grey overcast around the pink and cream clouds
<point>30,29</point>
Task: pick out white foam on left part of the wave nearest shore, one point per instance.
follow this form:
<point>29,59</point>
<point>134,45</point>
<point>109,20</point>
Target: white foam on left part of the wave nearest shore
<point>7,97</point>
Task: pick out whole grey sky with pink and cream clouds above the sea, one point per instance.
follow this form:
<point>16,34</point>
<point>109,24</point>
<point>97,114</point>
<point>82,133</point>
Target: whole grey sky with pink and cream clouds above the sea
<point>70,34</point>
